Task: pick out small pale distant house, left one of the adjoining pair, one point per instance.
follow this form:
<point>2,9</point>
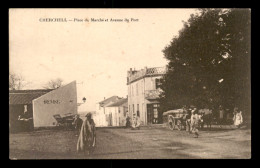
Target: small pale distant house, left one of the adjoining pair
<point>103,117</point>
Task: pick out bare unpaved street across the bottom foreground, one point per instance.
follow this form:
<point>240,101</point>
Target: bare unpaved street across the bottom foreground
<point>154,142</point>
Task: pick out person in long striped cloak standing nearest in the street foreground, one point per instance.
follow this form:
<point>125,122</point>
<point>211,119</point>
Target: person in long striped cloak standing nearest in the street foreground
<point>87,137</point>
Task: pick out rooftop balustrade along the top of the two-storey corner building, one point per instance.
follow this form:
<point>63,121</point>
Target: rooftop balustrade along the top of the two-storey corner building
<point>147,72</point>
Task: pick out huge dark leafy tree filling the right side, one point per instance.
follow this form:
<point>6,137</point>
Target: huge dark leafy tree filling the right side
<point>209,62</point>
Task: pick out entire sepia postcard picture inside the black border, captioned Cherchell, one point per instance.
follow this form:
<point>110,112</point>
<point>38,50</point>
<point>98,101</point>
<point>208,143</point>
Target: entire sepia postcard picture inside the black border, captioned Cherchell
<point>165,83</point>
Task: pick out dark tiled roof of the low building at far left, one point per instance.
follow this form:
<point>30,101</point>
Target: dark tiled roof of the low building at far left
<point>25,96</point>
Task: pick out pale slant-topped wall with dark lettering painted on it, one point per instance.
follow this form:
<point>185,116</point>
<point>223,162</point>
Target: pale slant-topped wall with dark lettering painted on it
<point>60,101</point>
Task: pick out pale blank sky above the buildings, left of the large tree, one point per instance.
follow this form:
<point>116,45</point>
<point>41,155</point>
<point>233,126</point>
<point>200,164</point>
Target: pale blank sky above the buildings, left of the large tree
<point>95,54</point>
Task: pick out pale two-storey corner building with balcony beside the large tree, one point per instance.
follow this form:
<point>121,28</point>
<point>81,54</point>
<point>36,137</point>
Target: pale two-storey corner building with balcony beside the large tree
<point>143,93</point>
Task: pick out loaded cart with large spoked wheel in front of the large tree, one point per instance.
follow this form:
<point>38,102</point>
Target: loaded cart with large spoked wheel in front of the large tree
<point>175,119</point>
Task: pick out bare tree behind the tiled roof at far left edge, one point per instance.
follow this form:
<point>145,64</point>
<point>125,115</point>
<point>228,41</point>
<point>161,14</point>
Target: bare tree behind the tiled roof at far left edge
<point>16,82</point>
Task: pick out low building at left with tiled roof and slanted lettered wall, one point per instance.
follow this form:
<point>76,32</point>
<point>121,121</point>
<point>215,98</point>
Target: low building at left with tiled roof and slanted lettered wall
<point>42,105</point>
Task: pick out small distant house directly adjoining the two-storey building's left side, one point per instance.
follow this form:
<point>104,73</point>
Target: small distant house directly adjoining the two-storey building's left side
<point>118,112</point>
